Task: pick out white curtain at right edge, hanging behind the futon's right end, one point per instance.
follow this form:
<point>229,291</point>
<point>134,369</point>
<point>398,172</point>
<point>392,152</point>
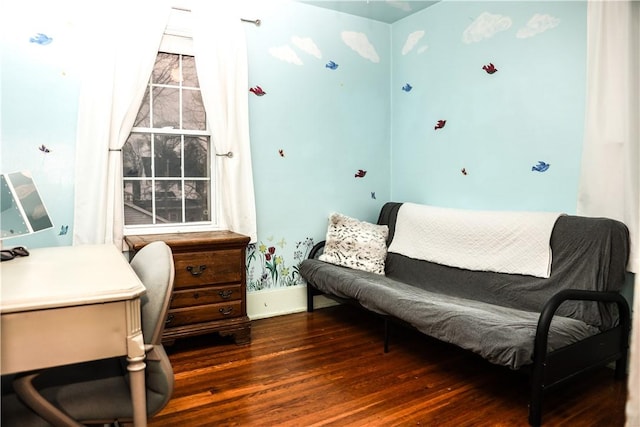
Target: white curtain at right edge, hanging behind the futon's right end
<point>610,175</point>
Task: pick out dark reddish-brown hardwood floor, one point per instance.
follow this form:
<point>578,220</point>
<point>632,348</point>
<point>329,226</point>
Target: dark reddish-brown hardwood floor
<point>328,368</point>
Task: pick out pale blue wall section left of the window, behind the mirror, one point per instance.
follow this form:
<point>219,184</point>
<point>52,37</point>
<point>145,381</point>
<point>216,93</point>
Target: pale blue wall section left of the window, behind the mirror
<point>39,88</point>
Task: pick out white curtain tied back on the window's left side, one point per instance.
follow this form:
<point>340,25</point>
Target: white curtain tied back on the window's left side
<point>122,40</point>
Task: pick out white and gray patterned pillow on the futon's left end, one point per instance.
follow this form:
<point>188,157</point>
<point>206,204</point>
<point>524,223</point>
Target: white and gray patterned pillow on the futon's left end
<point>355,244</point>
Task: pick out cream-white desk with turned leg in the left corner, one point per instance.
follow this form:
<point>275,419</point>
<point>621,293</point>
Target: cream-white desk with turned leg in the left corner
<point>72,304</point>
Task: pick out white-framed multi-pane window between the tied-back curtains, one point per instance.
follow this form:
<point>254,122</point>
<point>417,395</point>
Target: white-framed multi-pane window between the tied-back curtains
<point>167,159</point>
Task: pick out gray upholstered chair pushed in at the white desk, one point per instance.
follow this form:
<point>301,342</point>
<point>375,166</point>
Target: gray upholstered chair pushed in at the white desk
<point>98,392</point>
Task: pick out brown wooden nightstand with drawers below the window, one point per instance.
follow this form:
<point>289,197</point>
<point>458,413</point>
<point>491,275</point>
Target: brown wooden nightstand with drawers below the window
<point>210,291</point>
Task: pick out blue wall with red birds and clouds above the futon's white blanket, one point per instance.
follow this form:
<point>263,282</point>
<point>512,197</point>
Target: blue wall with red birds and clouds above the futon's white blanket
<point>498,126</point>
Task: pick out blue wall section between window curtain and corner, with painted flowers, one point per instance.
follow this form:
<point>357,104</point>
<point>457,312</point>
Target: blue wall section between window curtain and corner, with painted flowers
<point>329,121</point>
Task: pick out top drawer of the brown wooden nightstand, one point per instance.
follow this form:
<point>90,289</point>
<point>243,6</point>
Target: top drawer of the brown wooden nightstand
<point>208,268</point>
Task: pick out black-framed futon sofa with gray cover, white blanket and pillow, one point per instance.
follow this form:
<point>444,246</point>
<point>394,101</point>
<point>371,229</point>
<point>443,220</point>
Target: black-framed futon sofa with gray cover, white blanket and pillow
<point>532,291</point>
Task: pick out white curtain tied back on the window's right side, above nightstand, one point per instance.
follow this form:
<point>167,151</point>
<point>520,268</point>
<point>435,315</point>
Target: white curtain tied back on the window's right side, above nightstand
<point>221,62</point>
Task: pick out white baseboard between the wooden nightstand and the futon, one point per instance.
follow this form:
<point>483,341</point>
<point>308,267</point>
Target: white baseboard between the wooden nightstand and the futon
<point>277,302</point>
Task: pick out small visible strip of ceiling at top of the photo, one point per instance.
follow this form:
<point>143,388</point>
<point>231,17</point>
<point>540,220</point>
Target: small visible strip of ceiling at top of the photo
<point>388,11</point>
